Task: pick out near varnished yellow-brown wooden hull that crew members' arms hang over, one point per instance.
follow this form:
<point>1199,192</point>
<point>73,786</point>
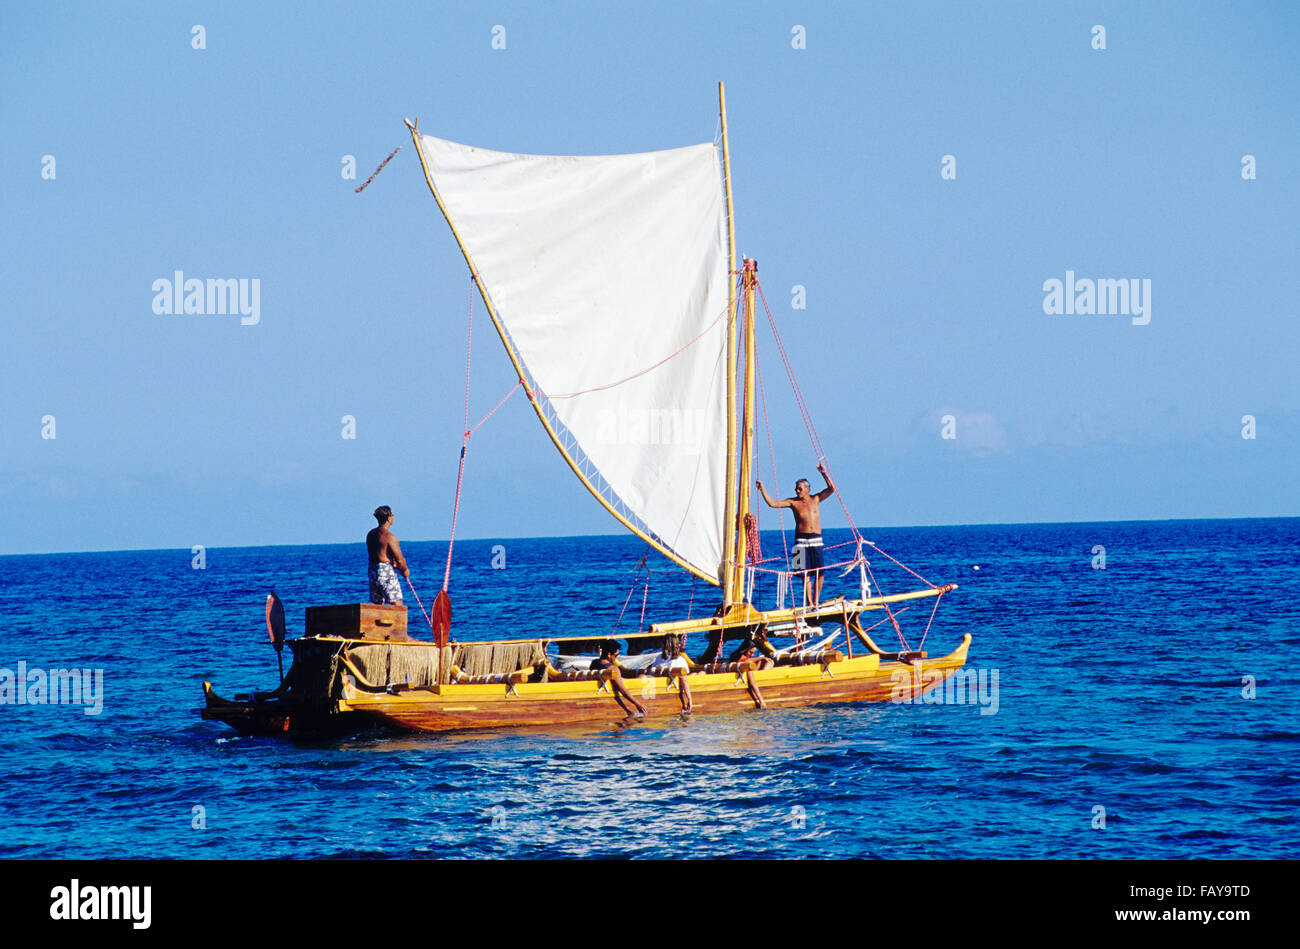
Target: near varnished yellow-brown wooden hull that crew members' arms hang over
<point>449,708</point>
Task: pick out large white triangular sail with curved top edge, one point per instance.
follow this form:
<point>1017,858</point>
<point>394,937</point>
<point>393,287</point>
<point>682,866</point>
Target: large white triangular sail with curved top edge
<point>609,275</point>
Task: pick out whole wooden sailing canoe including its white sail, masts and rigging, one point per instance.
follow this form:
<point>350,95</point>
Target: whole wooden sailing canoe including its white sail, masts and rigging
<point>614,288</point>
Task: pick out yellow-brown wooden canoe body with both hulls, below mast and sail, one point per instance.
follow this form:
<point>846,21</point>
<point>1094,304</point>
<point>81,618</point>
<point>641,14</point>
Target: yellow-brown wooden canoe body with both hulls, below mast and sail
<point>340,684</point>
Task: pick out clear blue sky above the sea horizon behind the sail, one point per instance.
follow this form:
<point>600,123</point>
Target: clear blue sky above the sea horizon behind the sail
<point>131,154</point>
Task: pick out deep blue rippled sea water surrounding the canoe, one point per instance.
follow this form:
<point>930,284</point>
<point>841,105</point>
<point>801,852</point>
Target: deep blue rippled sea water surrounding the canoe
<point>1124,694</point>
